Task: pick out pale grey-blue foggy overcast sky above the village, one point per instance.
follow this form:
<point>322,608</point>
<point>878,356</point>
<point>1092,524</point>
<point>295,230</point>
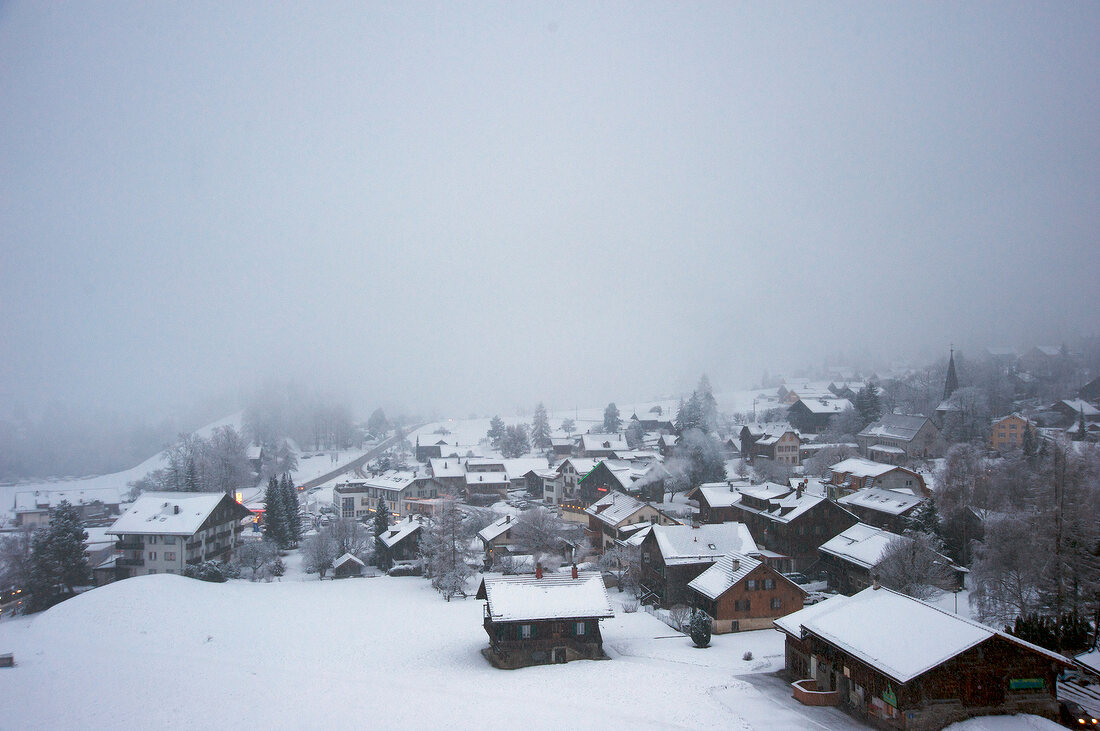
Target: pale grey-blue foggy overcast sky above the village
<point>472,207</point>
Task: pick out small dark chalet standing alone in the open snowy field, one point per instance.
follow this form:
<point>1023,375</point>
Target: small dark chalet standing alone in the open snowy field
<point>544,619</point>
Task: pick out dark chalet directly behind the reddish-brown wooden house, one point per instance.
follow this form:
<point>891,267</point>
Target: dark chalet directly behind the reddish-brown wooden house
<point>674,556</point>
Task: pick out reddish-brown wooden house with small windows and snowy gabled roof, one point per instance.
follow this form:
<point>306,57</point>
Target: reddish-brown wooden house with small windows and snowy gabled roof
<point>741,593</point>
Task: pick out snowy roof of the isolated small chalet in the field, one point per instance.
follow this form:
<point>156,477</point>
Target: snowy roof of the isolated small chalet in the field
<point>555,596</point>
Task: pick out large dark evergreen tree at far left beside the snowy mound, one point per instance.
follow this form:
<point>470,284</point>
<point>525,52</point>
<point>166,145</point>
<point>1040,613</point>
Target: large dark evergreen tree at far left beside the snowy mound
<point>59,562</point>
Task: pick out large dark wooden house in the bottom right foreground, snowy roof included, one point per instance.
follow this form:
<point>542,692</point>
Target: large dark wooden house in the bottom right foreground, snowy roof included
<point>900,663</point>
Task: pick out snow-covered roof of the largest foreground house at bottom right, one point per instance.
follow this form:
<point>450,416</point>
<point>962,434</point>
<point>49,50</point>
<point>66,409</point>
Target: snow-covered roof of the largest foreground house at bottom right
<point>900,637</point>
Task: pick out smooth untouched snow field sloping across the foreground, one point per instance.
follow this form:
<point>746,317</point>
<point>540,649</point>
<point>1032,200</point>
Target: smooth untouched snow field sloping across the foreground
<point>171,652</point>
